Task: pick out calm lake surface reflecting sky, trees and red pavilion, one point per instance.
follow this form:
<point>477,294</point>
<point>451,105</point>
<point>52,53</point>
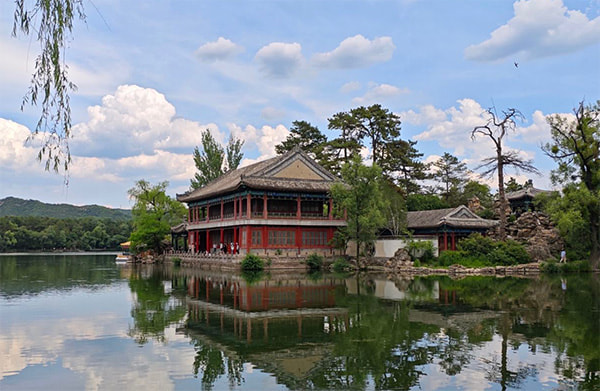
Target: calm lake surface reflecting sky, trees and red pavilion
<point>81,322</point>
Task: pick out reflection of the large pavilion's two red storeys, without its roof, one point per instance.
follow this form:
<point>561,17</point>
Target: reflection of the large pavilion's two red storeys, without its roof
<point>231,307</point>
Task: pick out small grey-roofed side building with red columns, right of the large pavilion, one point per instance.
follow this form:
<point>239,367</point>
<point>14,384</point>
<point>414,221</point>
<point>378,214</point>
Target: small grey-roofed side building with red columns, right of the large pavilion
<point>447,225</point>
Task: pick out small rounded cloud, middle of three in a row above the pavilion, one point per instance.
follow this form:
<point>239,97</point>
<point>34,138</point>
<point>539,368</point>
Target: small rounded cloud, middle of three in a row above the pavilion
<point>279,59</point>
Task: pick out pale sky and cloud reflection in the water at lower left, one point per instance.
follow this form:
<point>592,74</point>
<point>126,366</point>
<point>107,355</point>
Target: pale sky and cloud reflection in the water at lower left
<point>77,340</point>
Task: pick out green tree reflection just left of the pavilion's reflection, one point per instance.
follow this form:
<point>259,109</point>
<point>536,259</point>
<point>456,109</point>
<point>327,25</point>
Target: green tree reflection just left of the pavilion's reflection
<point>154,309</point>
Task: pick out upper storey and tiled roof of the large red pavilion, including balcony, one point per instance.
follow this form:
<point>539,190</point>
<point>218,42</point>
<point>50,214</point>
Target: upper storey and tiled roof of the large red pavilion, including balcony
<point>291,189</point>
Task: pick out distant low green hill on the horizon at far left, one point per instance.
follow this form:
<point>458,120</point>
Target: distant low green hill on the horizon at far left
<point>12,206</point>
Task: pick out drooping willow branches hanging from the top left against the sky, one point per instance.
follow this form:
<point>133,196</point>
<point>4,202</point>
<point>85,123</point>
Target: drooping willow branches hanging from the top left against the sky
<point>52,22</point>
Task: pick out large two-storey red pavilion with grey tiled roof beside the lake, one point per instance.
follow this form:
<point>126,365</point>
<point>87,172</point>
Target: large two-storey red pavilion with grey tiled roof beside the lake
<point>281,204</point>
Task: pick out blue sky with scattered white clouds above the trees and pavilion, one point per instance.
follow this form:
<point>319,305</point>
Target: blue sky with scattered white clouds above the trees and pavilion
<point>151,76</point>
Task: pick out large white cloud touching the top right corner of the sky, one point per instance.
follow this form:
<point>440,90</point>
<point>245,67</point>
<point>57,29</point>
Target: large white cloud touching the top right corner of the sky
<point>539,28</point>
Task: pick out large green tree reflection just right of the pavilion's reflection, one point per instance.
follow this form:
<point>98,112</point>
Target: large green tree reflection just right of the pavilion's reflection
<point>380,343</point>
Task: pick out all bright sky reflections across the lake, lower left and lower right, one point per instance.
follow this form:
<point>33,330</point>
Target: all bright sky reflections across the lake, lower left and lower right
<point>77,339</point>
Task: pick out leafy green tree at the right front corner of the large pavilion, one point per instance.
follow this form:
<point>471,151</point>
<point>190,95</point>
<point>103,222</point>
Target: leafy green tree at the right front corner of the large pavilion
<point>360,196</point>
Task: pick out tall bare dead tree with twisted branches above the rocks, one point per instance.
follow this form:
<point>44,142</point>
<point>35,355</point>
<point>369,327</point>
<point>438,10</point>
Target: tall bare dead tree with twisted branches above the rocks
<point>496,129</point>
